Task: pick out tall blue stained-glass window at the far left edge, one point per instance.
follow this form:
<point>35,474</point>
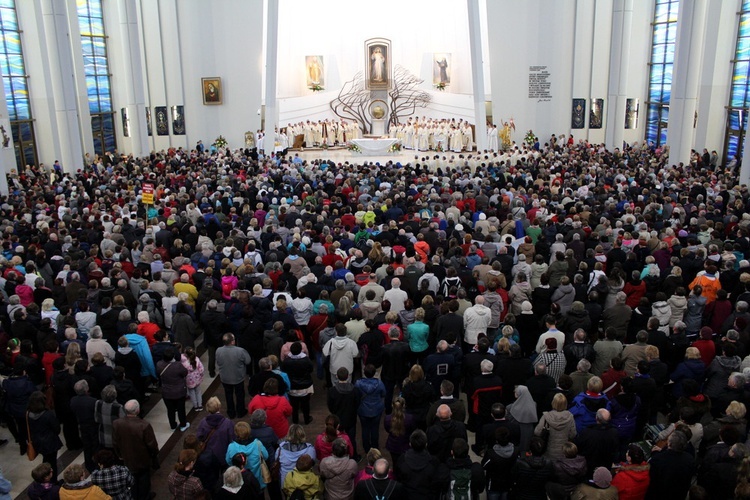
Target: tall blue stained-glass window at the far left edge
<point>16,87</point>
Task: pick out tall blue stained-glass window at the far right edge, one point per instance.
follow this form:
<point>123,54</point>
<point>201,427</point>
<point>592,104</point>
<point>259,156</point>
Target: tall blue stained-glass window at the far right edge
<point>739,96</point>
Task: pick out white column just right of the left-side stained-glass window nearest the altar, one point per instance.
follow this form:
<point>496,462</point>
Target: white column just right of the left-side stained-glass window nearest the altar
<point>126,65</point>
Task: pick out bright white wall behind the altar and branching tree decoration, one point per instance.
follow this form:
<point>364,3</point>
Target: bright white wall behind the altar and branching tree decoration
<point>337,31</point>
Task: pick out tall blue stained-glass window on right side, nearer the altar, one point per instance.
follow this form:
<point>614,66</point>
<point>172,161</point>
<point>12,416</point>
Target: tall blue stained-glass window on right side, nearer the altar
<point>662,61</point>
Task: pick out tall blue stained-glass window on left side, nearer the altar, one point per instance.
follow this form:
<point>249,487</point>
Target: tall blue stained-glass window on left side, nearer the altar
<point>96,69</point>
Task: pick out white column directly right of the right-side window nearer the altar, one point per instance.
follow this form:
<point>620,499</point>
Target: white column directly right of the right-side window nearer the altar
<point>686,75</point>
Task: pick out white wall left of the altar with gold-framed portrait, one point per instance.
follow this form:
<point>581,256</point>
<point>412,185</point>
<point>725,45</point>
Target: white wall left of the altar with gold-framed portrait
<point>186,40</point>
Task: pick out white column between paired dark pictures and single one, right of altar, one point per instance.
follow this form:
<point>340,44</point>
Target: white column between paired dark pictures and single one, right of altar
<point>619,66</point>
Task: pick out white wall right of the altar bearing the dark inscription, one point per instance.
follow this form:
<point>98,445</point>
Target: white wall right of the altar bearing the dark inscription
<point>573,39</point>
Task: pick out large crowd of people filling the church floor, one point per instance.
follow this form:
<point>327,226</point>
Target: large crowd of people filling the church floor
<point>575,317</point>
